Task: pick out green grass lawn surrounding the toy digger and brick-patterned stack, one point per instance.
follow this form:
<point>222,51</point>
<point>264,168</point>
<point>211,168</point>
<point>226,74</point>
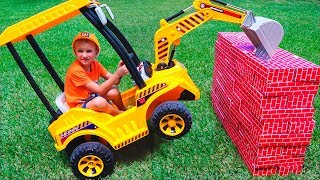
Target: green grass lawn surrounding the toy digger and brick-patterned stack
<point>27,150</point>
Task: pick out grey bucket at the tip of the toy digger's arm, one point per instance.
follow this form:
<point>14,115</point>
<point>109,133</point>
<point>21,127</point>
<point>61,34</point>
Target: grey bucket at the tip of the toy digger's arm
<point>265,34</point>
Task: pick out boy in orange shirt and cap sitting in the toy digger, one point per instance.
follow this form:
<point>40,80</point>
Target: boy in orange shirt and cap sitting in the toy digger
<point>81,81</point>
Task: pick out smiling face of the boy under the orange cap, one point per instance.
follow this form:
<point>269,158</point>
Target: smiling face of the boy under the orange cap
<point>85,51</point>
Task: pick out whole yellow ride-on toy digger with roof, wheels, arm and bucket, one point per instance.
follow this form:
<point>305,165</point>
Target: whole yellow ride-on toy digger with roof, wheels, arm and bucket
<point>86,135</point>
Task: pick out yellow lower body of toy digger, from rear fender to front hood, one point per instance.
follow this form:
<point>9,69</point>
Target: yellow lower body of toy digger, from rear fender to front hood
<point>130,125</point>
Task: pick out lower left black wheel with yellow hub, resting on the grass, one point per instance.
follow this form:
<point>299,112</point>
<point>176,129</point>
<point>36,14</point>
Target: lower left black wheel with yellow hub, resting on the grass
<point>92,160</point>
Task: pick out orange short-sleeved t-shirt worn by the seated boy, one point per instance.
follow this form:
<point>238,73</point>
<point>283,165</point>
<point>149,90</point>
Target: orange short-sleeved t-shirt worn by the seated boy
<point>77,77</point>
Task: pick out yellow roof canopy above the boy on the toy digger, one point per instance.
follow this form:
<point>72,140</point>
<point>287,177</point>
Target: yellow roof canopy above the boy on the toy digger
<point>42,21</point>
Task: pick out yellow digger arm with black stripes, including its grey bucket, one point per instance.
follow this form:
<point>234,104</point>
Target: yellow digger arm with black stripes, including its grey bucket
<point>170,33</point>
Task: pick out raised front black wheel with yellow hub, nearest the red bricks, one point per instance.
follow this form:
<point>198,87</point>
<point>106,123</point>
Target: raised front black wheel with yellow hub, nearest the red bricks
<point>171,120</point>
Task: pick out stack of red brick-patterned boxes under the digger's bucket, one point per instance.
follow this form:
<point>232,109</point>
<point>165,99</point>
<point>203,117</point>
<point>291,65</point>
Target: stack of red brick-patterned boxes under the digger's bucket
<point>266,107</point>
